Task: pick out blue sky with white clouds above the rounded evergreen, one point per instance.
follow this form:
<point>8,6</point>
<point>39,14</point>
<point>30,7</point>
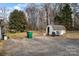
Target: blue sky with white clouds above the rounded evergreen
<point>11,6</point>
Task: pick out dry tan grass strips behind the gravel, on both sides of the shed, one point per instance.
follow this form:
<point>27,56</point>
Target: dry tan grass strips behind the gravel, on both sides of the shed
<point>69,34</point>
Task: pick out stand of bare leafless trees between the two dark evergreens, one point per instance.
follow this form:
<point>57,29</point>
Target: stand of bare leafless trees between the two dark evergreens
<point>40,15</point>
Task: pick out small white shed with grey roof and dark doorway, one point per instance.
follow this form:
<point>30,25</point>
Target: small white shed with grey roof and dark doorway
<point>55,30</point>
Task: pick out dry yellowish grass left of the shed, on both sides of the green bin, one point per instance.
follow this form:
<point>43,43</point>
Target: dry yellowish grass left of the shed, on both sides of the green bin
<point>23,34</point>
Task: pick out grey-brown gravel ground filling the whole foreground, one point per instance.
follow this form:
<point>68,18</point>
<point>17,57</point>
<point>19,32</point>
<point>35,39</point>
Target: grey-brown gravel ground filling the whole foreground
<point>41,46</point>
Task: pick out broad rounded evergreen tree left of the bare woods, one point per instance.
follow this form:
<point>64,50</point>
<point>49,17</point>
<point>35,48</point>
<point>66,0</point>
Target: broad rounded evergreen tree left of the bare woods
<point>17,21</point>
